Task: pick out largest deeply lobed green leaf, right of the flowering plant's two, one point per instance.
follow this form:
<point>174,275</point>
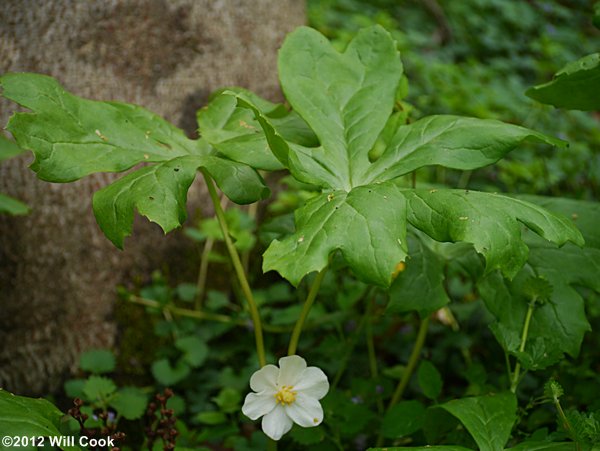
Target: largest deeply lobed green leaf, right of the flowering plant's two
<point>347,99</point>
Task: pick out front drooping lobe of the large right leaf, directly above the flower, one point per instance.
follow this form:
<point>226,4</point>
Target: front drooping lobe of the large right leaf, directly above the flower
<point>367,225</point>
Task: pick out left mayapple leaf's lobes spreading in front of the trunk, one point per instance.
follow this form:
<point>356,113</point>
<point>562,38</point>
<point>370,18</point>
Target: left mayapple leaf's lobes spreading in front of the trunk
<point>73,137</point>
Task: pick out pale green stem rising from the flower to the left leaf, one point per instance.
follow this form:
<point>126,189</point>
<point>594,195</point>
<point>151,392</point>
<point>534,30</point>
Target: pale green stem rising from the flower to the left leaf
<point>239,270</point>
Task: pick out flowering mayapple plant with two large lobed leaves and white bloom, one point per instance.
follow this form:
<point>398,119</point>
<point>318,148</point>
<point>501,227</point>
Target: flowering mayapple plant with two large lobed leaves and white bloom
<point>343,136</point>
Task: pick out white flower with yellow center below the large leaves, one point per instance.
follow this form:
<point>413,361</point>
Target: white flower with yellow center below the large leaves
<point>286,395</point>
